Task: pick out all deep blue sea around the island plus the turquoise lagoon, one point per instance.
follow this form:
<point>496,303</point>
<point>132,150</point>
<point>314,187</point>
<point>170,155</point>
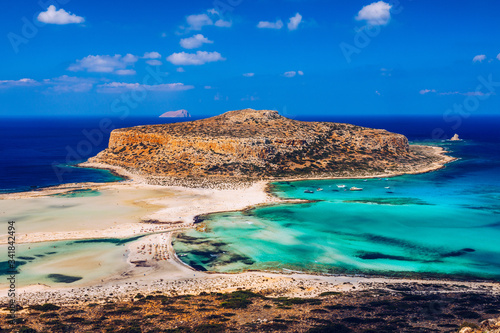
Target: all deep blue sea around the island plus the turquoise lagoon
<point>443,223</point>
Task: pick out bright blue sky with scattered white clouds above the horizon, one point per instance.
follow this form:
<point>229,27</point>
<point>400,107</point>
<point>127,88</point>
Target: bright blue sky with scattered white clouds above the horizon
<point>314,57</point>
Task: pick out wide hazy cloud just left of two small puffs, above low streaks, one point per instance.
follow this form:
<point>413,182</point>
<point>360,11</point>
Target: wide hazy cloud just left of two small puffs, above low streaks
<point>103,63</point>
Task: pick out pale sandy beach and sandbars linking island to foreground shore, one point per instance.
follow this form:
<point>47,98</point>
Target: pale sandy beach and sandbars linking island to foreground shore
<point>152,275</point>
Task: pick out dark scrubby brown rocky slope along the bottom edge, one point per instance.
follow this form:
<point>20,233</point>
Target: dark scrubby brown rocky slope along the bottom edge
<point>383,308</point>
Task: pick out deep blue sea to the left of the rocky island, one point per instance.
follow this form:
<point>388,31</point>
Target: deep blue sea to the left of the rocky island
<point>38,153</point>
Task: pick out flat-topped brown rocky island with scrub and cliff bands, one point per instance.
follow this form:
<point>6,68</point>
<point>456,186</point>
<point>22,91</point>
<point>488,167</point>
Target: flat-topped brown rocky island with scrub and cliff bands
<point>254,144</point>
